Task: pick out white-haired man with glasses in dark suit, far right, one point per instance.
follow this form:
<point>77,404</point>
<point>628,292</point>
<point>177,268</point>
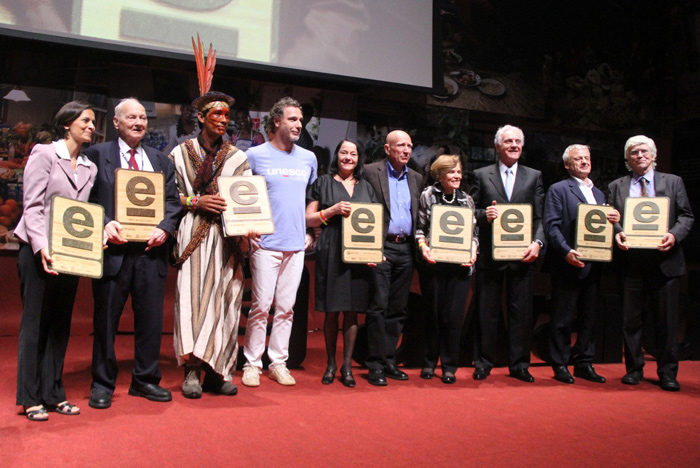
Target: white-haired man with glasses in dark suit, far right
<point>651,271</point>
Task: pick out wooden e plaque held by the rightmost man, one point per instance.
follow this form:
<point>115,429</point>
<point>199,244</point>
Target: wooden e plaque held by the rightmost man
<point>645,221</point>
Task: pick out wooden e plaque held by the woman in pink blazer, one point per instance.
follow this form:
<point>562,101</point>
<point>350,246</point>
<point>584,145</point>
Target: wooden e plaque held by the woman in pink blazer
<point>75,239</point>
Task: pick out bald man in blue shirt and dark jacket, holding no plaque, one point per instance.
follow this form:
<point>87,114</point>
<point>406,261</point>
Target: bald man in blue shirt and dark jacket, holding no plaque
<point>397,188</point>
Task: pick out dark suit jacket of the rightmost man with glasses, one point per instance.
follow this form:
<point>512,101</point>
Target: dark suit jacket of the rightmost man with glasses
<point>680,221</point>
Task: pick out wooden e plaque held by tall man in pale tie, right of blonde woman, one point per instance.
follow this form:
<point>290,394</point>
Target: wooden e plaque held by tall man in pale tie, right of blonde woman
<point>512,231</point>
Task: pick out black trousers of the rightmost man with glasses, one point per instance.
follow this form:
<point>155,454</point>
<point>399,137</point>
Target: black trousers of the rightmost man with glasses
<point>663,292</point>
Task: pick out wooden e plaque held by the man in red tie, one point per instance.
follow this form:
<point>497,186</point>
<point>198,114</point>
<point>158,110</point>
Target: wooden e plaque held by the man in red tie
<point>140,202</point>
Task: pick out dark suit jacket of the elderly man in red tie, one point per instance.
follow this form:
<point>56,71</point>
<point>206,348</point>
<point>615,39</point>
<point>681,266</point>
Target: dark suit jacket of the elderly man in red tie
<point>106,157</point>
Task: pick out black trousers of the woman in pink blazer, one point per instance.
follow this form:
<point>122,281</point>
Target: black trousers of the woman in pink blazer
<point>44,331</point>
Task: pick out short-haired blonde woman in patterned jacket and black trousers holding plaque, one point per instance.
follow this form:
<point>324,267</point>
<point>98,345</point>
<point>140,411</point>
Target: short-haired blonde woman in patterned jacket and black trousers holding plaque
<point>444,285</point>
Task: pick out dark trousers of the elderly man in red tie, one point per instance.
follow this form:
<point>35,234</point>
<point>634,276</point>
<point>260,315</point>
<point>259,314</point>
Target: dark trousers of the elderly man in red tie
<point>139,278</point>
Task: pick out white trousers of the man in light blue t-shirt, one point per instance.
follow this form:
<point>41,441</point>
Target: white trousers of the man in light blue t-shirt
<point>276,277</point>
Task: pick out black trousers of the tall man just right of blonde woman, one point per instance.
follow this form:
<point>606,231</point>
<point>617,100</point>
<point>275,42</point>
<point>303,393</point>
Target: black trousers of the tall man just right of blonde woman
<point>519,284</point>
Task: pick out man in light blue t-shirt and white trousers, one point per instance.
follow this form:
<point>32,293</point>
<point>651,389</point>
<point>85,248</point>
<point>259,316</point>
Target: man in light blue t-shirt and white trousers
<point>277,260</point>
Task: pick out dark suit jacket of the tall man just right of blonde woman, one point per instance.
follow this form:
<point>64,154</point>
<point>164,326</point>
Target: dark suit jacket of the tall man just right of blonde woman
<point>487,187</point>
